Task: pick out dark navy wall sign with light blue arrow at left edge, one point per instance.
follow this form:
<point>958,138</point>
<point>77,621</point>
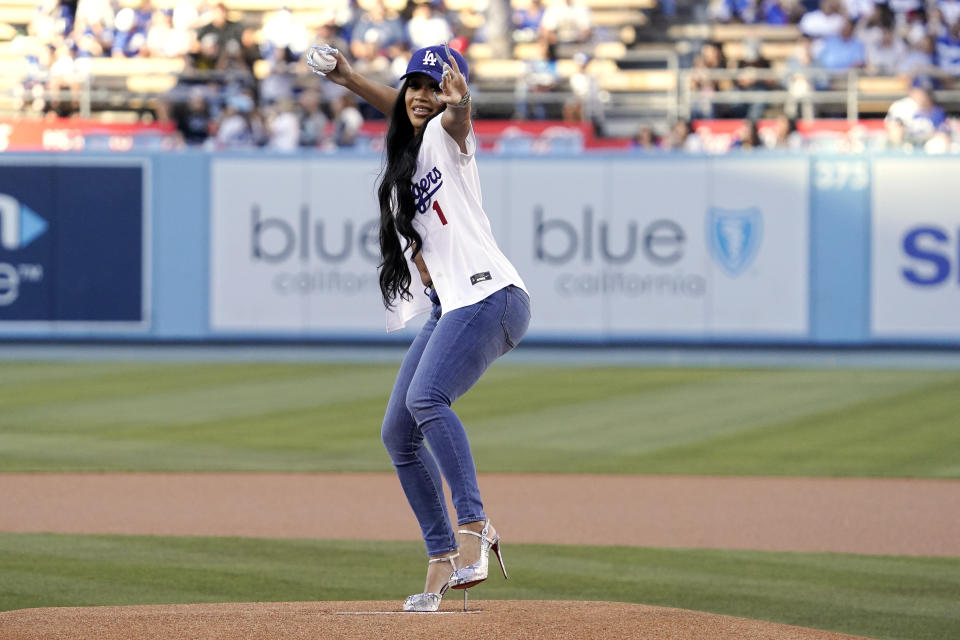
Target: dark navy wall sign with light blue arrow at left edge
<point>71,243</point>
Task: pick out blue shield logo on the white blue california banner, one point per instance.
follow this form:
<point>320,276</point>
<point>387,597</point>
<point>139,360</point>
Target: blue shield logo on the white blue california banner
<point>734,237</point>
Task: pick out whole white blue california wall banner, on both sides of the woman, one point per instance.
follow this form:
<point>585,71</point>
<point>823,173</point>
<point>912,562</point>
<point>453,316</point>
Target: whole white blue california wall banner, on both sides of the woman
<point>625,248</point>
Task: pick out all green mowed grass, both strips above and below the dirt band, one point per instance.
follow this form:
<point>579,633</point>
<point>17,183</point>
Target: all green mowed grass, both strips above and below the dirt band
<point>301,417</point>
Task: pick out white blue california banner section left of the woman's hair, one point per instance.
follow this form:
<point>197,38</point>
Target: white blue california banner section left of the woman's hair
<point>294,246</point>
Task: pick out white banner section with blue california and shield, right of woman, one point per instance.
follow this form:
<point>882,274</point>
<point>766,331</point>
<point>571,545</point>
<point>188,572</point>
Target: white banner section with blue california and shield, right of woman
<point>673,248</point>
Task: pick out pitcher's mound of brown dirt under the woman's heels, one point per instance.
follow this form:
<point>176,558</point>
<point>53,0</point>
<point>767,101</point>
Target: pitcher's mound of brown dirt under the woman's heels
<point>494,619</point>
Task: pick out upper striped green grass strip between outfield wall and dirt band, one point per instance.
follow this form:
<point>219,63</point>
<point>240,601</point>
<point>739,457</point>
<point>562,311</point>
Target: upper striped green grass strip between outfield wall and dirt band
<point>236,416</point>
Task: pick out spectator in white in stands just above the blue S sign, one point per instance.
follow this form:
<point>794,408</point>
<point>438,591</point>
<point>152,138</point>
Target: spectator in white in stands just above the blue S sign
<point>917,120</point>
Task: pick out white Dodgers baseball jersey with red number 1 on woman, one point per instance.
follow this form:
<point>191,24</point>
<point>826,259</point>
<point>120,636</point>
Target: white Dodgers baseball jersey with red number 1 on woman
<point>463,258</point>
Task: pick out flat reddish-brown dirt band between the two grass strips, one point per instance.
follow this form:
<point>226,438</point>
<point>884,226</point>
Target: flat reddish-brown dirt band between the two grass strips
<point>847,515</point>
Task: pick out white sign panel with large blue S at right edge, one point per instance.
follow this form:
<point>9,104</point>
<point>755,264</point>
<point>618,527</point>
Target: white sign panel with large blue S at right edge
<point>915,253</point>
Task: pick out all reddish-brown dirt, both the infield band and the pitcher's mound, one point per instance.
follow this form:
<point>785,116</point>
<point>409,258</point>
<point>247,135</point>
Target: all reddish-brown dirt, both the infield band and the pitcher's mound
<point>876,516</point>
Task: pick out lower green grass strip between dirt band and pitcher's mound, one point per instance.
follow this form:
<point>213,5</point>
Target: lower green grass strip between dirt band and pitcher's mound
<point>876,596</point>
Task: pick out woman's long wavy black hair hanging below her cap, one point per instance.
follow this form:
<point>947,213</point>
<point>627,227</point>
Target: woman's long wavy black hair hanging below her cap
<point>397,206</point>
